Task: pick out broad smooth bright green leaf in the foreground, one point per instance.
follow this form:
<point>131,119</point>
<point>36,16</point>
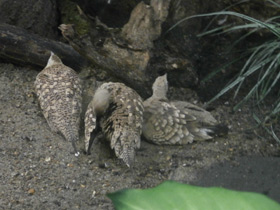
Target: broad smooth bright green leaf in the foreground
<point>172,195</point>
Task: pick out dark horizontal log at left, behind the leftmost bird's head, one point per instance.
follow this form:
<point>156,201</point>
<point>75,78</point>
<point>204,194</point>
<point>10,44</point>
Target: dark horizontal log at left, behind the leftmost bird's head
<point>23,48</point>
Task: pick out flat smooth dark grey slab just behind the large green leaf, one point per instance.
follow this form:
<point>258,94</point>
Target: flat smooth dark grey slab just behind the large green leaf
<point>255,174</point>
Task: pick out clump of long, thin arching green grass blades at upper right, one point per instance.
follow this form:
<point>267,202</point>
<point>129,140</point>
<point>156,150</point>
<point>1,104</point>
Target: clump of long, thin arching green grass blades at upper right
<point>262,60</point>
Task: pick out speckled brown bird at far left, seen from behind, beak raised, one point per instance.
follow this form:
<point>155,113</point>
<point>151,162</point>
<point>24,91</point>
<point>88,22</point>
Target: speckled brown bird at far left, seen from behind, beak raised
<point>59,91</point>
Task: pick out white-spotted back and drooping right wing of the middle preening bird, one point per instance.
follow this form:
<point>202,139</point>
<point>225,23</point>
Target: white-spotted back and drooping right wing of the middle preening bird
<point>122,122</point>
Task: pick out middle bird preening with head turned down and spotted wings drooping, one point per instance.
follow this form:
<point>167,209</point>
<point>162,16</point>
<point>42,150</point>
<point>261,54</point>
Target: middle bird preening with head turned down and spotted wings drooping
<point>117,111</point>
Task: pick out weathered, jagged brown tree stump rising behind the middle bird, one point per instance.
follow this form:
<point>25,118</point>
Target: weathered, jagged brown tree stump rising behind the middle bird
<point>124,55</point>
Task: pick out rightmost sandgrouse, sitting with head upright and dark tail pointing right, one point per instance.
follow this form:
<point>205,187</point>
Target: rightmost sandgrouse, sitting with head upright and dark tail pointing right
<point>178,122</point>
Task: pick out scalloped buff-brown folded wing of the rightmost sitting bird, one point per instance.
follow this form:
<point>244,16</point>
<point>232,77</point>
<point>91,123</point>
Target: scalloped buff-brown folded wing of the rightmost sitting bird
<point>166,124</point>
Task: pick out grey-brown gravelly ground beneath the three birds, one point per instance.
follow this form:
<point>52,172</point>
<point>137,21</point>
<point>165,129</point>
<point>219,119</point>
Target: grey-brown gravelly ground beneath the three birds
<point>38,170</point>
